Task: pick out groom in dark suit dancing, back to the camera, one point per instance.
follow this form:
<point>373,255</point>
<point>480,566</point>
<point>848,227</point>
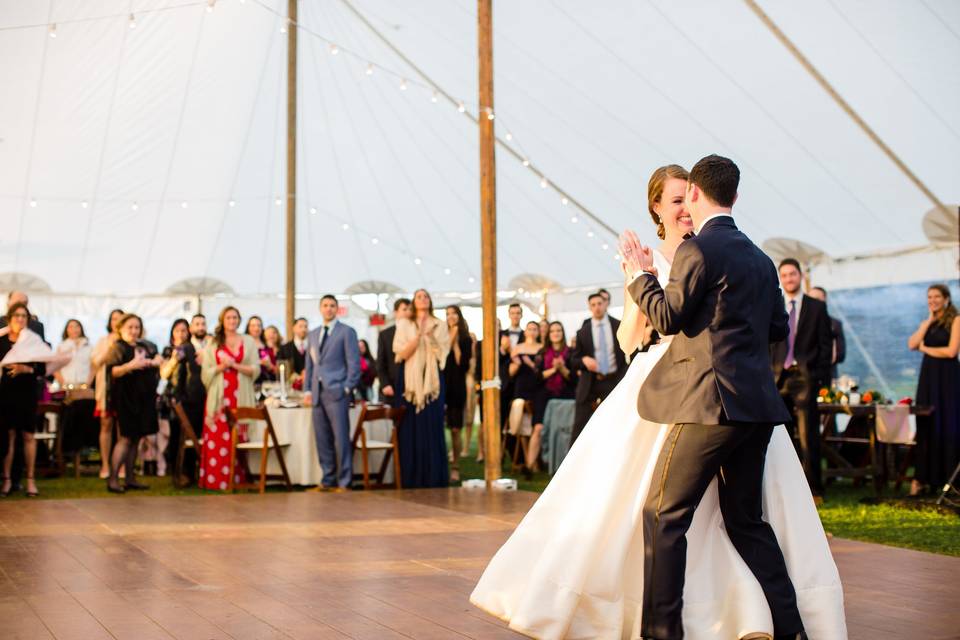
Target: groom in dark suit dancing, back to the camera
<point>714,387</point>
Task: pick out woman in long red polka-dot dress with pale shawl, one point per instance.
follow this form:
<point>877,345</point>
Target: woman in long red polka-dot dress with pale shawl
<point>230,366</point>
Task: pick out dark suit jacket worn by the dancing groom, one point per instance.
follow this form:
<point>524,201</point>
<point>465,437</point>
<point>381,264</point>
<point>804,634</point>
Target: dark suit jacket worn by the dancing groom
<point>724,306</point>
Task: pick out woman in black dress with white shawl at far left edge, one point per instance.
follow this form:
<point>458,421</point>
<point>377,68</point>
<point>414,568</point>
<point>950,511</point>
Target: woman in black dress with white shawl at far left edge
<point>18,401</point>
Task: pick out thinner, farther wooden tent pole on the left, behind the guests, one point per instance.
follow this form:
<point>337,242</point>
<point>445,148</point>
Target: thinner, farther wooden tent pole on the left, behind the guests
<point>291,226</point>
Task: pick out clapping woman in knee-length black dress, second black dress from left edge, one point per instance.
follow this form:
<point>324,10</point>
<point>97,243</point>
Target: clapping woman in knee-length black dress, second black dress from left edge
<point>132,369</point>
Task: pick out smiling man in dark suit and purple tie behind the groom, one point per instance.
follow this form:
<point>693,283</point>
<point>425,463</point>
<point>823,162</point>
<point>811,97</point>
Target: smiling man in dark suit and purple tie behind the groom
<point>801,365</point>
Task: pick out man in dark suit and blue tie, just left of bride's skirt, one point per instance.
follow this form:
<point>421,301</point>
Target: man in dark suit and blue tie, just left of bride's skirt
<point>598,359</point>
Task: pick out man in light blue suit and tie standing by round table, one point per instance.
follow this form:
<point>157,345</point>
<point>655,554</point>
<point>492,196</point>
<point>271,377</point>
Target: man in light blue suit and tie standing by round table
<point>332,372</point>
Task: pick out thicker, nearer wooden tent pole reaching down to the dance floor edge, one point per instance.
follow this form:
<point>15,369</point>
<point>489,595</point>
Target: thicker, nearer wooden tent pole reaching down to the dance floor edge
<point>488,247</point>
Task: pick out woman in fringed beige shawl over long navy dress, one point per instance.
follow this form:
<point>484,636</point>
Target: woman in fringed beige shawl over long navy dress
<point>422,344</point>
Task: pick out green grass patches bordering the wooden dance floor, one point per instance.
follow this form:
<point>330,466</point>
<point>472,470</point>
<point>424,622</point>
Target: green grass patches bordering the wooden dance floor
<point>913,526</point>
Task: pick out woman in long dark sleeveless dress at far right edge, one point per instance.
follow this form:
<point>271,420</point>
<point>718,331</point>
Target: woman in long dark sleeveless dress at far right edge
<point>938,435</point>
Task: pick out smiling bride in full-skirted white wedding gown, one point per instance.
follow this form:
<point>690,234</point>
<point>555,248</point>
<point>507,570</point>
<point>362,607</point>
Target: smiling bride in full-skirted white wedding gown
<point>573,568</point>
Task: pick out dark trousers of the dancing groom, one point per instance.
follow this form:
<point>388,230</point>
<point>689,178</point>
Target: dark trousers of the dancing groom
<point>691,457</point>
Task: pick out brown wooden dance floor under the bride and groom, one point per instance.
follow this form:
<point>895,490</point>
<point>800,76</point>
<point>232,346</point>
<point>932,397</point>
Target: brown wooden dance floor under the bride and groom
<point>360,565</point>
